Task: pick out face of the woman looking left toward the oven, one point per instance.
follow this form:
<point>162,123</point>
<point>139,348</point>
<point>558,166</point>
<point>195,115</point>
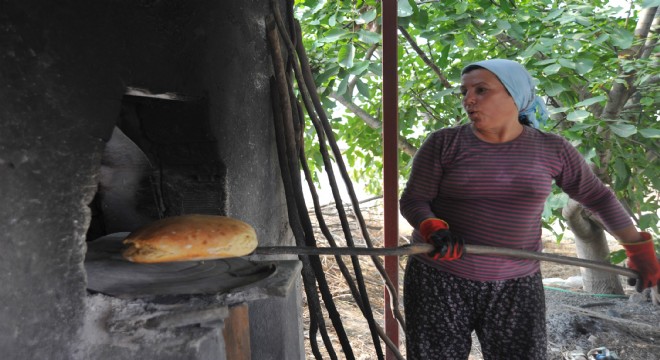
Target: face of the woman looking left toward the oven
<point>486,101</point>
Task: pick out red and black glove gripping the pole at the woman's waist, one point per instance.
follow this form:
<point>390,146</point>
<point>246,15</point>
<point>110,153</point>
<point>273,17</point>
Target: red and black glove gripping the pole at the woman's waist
<point>448,246</point>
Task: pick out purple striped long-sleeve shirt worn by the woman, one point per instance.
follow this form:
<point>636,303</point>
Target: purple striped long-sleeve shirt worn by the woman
<point>494,194</point>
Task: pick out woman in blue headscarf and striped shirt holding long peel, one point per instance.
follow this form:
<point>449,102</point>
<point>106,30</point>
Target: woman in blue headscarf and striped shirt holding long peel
<point>486,183</point>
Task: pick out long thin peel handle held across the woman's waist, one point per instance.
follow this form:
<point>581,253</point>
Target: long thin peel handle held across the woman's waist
<point>426,248</point>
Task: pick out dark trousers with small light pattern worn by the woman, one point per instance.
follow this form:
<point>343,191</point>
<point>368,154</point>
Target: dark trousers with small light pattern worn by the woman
<point>442,310</point>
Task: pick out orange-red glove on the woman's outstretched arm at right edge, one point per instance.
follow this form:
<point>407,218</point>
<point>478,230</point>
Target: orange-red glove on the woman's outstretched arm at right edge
<point>642,258</point>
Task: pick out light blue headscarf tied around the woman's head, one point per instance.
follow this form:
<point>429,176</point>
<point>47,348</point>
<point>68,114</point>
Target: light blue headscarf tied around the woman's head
<point>520,85</point>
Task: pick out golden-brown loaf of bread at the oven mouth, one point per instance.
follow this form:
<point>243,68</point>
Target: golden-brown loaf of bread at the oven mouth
<point>190,238</point>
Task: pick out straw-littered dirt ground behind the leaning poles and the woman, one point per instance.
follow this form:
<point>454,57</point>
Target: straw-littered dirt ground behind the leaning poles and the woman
<point>627,326</point>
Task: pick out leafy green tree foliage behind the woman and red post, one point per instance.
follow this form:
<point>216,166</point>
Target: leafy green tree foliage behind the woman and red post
<point>596,64</point>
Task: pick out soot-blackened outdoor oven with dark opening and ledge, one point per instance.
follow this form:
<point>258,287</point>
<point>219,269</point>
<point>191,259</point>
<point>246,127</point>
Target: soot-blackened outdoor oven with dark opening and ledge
<point>115,114</point>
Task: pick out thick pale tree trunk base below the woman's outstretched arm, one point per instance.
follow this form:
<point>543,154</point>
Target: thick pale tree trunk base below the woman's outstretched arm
<point>591,244</point>
